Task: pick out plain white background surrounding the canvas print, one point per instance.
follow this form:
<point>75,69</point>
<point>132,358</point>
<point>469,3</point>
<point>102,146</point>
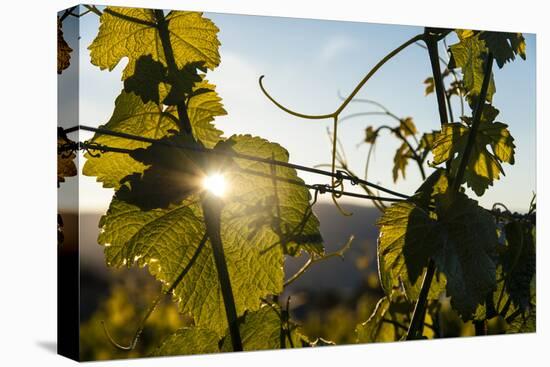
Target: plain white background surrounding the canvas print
<point>28,181</point>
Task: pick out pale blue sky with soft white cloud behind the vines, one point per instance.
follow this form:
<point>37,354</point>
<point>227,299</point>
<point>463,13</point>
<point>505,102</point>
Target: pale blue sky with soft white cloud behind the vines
<point>306,63</point>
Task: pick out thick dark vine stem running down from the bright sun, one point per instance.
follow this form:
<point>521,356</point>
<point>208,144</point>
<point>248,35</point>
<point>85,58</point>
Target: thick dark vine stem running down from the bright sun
<point>212,207</point>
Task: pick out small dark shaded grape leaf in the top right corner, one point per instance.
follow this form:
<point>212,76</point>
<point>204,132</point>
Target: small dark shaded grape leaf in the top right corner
<point>504,45</point>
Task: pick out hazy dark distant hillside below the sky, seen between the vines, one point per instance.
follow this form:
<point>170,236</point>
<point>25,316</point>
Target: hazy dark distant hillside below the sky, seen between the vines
<point>331,275</point>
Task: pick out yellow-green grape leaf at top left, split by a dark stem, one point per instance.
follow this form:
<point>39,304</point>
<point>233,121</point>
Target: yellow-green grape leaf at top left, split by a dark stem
<point>132,33</point>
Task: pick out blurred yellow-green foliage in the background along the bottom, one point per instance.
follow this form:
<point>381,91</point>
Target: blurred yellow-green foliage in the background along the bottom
<point>329,314</point>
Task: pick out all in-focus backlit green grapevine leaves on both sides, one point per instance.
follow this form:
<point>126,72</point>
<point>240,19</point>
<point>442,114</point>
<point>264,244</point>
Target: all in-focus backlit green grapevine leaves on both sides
<point>483,259</point>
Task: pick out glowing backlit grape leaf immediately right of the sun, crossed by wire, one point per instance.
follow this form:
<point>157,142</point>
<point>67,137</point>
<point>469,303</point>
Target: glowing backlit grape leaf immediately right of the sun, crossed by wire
<point>276,199</point>
